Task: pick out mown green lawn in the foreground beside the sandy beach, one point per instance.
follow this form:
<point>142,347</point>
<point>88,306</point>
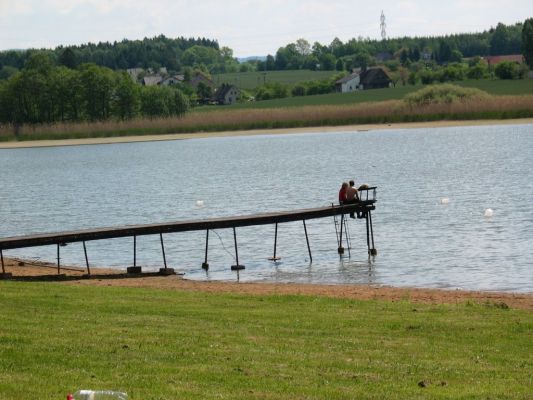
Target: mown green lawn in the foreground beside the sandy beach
<point>158,344</point>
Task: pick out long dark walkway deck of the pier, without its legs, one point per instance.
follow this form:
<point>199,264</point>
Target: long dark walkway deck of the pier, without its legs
<point>181,226</point>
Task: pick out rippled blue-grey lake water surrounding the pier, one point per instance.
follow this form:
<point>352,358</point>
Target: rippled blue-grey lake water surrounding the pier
<point>420,241</point>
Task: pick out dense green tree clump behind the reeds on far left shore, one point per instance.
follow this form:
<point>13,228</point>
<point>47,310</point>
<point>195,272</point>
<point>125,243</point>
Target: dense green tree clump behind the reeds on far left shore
<point>45,93</point>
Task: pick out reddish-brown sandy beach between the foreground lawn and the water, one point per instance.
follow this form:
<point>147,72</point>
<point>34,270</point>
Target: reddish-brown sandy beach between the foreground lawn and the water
<point>41,271</point>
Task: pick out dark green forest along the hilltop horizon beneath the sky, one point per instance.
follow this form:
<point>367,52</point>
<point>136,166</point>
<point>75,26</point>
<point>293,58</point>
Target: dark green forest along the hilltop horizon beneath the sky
<point>208,55</point>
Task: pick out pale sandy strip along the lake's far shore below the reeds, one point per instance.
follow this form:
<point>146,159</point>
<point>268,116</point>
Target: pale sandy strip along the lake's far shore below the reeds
<point>200,135</point>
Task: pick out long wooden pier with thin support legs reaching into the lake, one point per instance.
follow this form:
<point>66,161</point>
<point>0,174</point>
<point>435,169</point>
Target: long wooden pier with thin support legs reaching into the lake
<point>363,208</point>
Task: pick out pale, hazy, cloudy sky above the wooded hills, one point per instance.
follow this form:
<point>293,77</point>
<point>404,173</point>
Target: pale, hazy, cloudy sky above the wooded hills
<point>249,27</point>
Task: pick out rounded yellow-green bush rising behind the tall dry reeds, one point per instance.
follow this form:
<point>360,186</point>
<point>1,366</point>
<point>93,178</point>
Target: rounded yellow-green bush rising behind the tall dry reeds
<point>443,94</point>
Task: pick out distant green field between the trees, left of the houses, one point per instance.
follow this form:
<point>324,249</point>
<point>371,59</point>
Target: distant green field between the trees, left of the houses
<point>251,80</point>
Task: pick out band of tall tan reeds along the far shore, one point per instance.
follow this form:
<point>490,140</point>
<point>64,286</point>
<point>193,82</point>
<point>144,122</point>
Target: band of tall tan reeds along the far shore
<point>225,119</point>
